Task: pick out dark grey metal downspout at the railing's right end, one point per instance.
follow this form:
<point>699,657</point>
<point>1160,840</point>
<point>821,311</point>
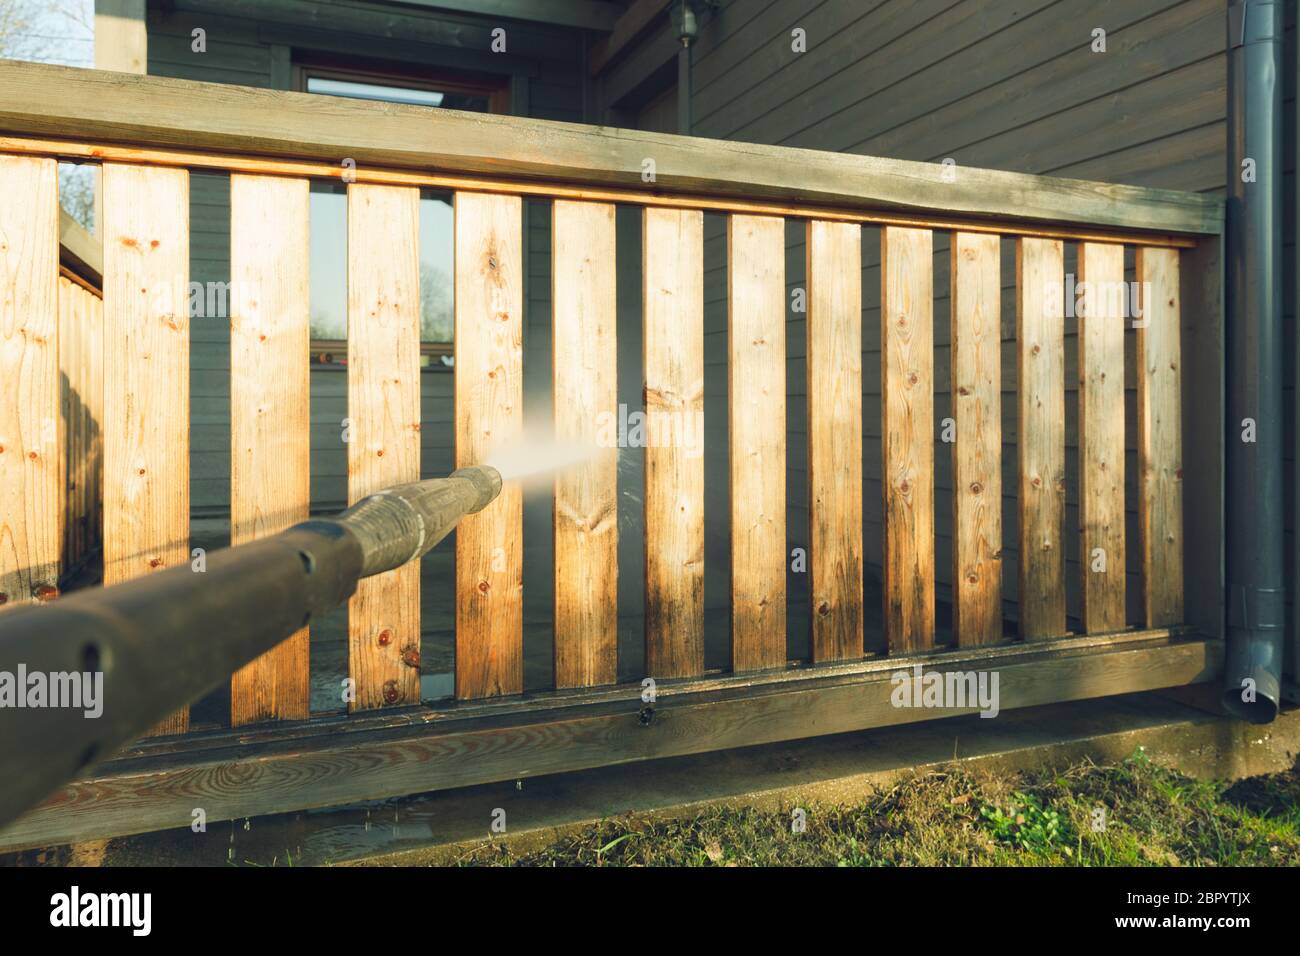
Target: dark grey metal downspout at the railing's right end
<point>1256,599</point>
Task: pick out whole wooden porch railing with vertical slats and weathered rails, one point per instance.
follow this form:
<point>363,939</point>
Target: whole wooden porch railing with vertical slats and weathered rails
<point>272,145</point>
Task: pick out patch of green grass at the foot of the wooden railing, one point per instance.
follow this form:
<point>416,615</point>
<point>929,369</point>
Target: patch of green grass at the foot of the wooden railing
<point>1132,815</point>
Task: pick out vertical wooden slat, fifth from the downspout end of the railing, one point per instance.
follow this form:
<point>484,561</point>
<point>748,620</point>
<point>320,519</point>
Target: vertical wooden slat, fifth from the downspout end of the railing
<point>908,412</point>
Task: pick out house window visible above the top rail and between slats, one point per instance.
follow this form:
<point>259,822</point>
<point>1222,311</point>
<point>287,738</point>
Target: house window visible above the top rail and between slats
<point>330,207</point>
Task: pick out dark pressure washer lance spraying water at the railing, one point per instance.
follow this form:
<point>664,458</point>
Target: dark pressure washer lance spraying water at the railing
<point>164,641</point>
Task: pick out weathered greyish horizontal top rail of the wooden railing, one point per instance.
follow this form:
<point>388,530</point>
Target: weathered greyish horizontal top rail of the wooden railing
<point>153,113</point>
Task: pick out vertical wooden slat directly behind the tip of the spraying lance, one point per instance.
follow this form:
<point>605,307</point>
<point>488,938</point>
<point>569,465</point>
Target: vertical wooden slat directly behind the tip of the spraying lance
<point>489,292</point>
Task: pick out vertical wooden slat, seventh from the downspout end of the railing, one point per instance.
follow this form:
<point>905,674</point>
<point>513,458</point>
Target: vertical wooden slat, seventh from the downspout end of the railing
<point>756,371</point>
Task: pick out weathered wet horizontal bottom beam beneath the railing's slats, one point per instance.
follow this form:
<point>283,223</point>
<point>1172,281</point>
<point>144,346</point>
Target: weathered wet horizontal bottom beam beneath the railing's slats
<point>336,762</point>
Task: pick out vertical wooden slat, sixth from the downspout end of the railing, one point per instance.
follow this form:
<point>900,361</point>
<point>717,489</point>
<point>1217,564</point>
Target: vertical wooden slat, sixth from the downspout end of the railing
<point>835,438</point>
